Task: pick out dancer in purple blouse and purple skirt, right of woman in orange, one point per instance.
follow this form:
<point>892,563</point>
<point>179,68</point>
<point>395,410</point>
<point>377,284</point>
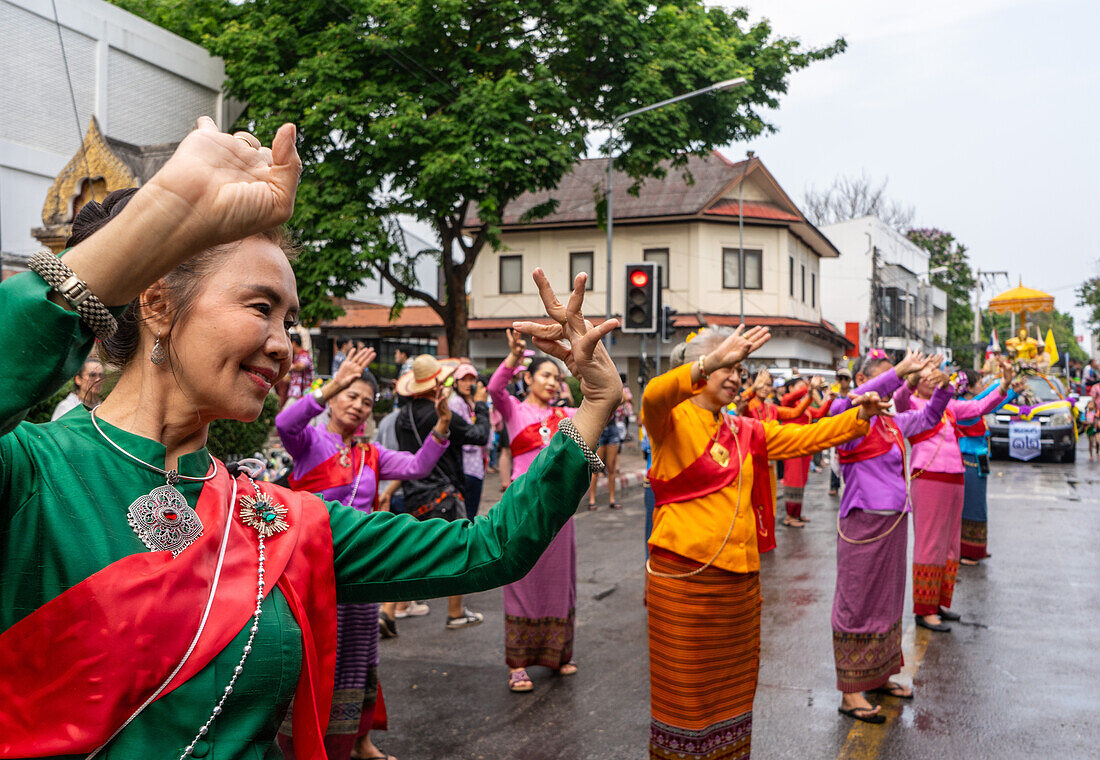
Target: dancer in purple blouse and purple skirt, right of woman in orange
<point>873,531</point>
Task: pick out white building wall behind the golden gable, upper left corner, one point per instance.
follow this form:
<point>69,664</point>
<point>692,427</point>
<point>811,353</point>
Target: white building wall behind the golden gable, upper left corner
<point>142,83</point>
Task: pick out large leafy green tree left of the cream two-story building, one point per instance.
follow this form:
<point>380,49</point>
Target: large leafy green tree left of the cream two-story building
<point>447,112</point>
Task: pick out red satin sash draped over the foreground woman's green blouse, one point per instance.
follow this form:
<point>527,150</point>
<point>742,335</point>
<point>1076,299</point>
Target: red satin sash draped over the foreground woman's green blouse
<point>75,669</point>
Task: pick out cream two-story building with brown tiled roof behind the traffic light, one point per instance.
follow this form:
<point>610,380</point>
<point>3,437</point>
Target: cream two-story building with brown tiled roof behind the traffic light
<point>689,226</point>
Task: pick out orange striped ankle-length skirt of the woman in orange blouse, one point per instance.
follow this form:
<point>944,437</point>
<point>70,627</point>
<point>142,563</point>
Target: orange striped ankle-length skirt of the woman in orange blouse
<point>705,656</point>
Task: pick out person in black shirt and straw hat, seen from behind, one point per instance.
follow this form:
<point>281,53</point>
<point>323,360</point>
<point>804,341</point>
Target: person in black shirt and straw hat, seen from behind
<point>441,493</point>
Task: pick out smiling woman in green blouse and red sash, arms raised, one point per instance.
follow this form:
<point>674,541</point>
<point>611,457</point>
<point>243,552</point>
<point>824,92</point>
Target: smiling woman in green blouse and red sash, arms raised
<point>150,598</point>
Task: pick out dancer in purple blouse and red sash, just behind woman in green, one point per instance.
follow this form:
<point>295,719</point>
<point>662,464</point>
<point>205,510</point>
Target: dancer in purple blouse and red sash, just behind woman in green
<point>329,461</point>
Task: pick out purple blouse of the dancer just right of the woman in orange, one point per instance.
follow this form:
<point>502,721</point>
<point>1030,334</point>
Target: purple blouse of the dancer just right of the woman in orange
<point>879,483</point>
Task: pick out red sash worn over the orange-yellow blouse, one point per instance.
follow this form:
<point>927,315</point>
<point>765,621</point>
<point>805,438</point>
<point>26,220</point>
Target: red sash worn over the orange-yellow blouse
<point>706,476</point>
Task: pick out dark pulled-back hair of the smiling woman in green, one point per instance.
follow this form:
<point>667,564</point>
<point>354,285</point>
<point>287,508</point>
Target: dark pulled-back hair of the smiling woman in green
<point>183,282</point>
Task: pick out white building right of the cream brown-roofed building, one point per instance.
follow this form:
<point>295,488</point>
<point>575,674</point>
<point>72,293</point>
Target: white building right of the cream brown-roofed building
<point>879,289</point>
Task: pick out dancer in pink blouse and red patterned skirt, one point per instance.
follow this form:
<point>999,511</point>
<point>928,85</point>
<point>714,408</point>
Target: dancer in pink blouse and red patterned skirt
<point>938,487</point>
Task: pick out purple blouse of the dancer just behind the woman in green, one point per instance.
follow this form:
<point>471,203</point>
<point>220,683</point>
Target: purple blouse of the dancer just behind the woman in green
<point>310,446</point>
